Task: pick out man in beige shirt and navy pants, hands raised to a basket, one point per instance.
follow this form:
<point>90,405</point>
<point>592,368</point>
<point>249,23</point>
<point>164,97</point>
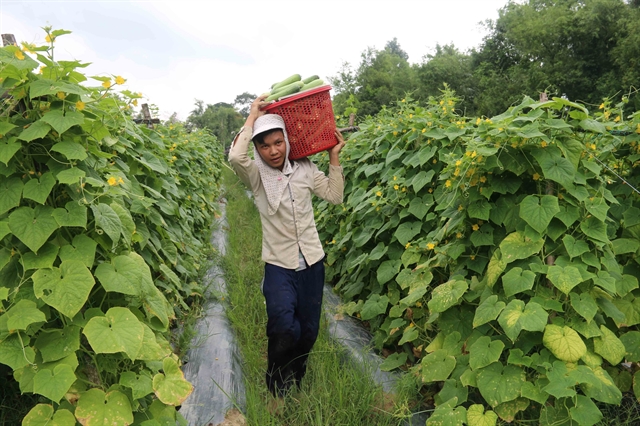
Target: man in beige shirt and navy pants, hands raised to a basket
<point>291,249</point>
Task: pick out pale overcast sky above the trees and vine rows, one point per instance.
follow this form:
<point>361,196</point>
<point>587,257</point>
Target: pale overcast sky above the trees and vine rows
<point>177,51</point>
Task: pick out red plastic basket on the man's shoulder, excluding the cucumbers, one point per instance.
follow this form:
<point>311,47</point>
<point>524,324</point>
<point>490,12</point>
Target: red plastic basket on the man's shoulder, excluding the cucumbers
<point>309,120</point>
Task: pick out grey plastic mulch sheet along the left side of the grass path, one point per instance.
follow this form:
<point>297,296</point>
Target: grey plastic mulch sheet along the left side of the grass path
<point>214,362</point>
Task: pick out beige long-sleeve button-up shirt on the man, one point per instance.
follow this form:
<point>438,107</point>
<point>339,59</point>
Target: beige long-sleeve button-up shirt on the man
<point>292,228</point>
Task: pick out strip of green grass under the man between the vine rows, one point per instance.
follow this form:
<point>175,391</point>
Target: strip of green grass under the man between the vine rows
<point>334,392</point>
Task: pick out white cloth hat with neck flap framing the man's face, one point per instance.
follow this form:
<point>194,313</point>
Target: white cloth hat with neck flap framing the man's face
<point>273,179</point>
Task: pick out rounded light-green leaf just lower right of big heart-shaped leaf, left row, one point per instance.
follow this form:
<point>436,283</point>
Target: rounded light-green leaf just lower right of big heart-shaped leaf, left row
<point>118,331</point>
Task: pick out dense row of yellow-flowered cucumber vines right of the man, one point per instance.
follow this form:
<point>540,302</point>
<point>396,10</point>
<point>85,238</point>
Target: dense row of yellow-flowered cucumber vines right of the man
<point>496,259</point>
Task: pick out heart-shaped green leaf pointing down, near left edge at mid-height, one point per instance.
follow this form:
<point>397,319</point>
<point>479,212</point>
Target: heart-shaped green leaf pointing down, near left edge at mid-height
<point>33,226</point>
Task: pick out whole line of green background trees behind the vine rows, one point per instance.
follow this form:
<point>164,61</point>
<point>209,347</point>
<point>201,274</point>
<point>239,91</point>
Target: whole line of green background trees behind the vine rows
<point>587,50</point>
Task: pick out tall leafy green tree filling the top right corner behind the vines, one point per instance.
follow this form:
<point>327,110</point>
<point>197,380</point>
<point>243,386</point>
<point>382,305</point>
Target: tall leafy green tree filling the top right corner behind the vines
<point>559,46</point>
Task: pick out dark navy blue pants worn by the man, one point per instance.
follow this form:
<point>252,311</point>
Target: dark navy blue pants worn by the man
<point>294,302</point>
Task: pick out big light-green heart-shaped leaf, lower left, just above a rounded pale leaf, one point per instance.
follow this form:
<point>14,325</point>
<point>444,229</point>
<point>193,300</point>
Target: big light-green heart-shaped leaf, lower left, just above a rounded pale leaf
<point>66,288</point>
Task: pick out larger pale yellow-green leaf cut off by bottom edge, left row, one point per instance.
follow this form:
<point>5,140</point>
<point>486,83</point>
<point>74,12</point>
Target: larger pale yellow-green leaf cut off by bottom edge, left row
<point>95,408</point>
